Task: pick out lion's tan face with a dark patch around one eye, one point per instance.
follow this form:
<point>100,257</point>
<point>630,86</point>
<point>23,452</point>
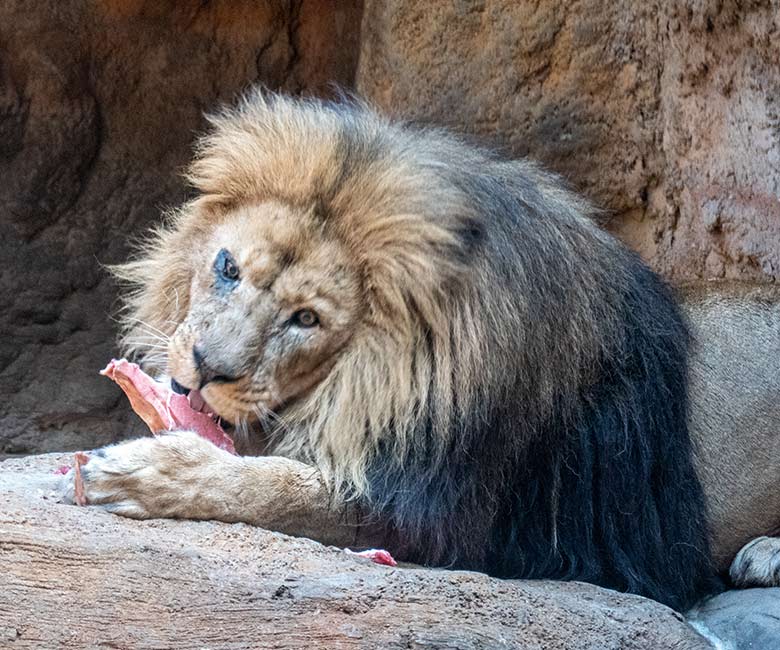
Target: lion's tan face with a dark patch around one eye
<point>274,298</point>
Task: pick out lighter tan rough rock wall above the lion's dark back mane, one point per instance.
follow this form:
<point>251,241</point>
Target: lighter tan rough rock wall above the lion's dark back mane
<point>667,114</point>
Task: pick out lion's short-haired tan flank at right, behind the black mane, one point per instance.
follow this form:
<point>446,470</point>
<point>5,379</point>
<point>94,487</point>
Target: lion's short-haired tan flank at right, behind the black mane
<point>735,408</point>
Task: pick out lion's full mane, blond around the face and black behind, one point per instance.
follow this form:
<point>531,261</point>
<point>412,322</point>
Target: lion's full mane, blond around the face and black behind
<point>516,398</point>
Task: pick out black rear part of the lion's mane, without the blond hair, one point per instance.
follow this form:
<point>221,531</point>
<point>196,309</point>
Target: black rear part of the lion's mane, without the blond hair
<point>574,461</point>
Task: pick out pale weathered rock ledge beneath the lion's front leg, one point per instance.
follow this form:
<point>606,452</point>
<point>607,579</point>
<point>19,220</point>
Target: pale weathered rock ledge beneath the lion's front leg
<point>80,577</point>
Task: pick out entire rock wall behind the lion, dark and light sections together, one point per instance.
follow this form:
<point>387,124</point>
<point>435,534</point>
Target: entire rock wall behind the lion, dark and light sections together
<point>665,114</point>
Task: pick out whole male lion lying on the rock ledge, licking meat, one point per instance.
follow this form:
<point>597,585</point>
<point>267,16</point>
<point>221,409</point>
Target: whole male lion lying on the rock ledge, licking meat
<point>432,349</point>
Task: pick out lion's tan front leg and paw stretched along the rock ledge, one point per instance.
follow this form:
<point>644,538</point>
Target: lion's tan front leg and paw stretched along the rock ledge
<point>180,475</point>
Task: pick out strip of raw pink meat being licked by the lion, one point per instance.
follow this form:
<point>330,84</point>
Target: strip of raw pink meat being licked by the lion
<point>164,410</point>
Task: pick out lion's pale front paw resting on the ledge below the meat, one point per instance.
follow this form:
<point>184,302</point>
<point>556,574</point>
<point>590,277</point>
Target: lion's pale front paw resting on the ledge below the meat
<point>167,476</point>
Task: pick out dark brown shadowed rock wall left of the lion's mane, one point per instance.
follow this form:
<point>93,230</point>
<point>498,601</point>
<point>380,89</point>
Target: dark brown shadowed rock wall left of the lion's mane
<point>99,105</point>
